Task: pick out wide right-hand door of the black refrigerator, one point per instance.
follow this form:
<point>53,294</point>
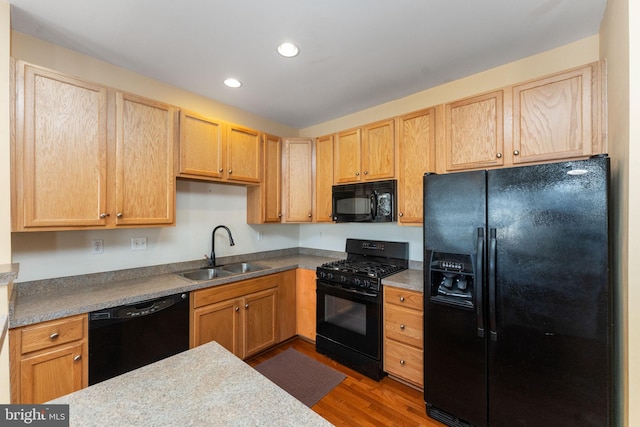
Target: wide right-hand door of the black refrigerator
<point>550,362</point>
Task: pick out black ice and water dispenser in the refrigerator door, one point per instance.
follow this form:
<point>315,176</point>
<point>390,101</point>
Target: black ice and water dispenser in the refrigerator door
<point>451,278</point>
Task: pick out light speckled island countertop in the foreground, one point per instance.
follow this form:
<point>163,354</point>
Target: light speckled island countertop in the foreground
<point>206,385</point>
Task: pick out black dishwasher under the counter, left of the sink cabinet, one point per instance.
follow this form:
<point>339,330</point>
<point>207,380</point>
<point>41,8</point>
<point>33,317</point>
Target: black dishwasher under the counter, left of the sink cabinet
<point>127,337</point>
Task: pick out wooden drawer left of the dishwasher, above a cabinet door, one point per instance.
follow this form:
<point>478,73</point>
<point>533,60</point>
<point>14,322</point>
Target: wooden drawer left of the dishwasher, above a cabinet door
<point>49,334</point>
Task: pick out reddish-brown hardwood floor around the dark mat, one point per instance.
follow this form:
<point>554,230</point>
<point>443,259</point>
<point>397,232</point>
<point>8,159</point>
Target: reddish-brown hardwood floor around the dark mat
<point>359,400</point>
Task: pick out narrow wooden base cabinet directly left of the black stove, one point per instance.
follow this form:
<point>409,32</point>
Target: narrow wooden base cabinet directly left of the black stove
<point>306,303</point>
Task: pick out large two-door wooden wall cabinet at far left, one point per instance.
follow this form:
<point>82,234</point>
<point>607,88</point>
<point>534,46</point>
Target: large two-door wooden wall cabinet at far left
<point>87,156</point>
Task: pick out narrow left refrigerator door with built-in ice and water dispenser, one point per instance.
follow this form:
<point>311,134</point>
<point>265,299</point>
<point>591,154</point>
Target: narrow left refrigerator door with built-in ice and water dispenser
<point>455,380</point>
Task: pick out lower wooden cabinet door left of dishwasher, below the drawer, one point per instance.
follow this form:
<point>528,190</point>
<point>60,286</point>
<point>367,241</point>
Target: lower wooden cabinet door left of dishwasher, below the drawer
<point>46,376</point>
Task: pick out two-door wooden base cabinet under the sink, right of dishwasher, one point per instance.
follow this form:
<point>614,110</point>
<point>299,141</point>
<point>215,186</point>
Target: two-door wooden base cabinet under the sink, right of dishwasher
<point>241,316</point>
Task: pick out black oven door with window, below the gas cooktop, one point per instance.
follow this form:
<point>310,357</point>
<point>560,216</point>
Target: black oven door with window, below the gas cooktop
<point>350,318</point>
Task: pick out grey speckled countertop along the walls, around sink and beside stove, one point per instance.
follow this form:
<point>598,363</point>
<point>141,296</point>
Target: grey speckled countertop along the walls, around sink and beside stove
<point>42,300</point>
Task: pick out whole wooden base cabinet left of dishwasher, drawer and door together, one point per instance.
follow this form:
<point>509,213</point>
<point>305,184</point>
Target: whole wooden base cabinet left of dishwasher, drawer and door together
<point>48,359</point>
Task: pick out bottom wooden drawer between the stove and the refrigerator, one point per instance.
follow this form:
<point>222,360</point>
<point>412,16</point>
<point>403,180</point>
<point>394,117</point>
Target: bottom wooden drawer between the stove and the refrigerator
<point>404,361</point>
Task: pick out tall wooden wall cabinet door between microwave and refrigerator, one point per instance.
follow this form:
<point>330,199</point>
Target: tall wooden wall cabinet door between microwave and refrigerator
<point>416,155</point>
